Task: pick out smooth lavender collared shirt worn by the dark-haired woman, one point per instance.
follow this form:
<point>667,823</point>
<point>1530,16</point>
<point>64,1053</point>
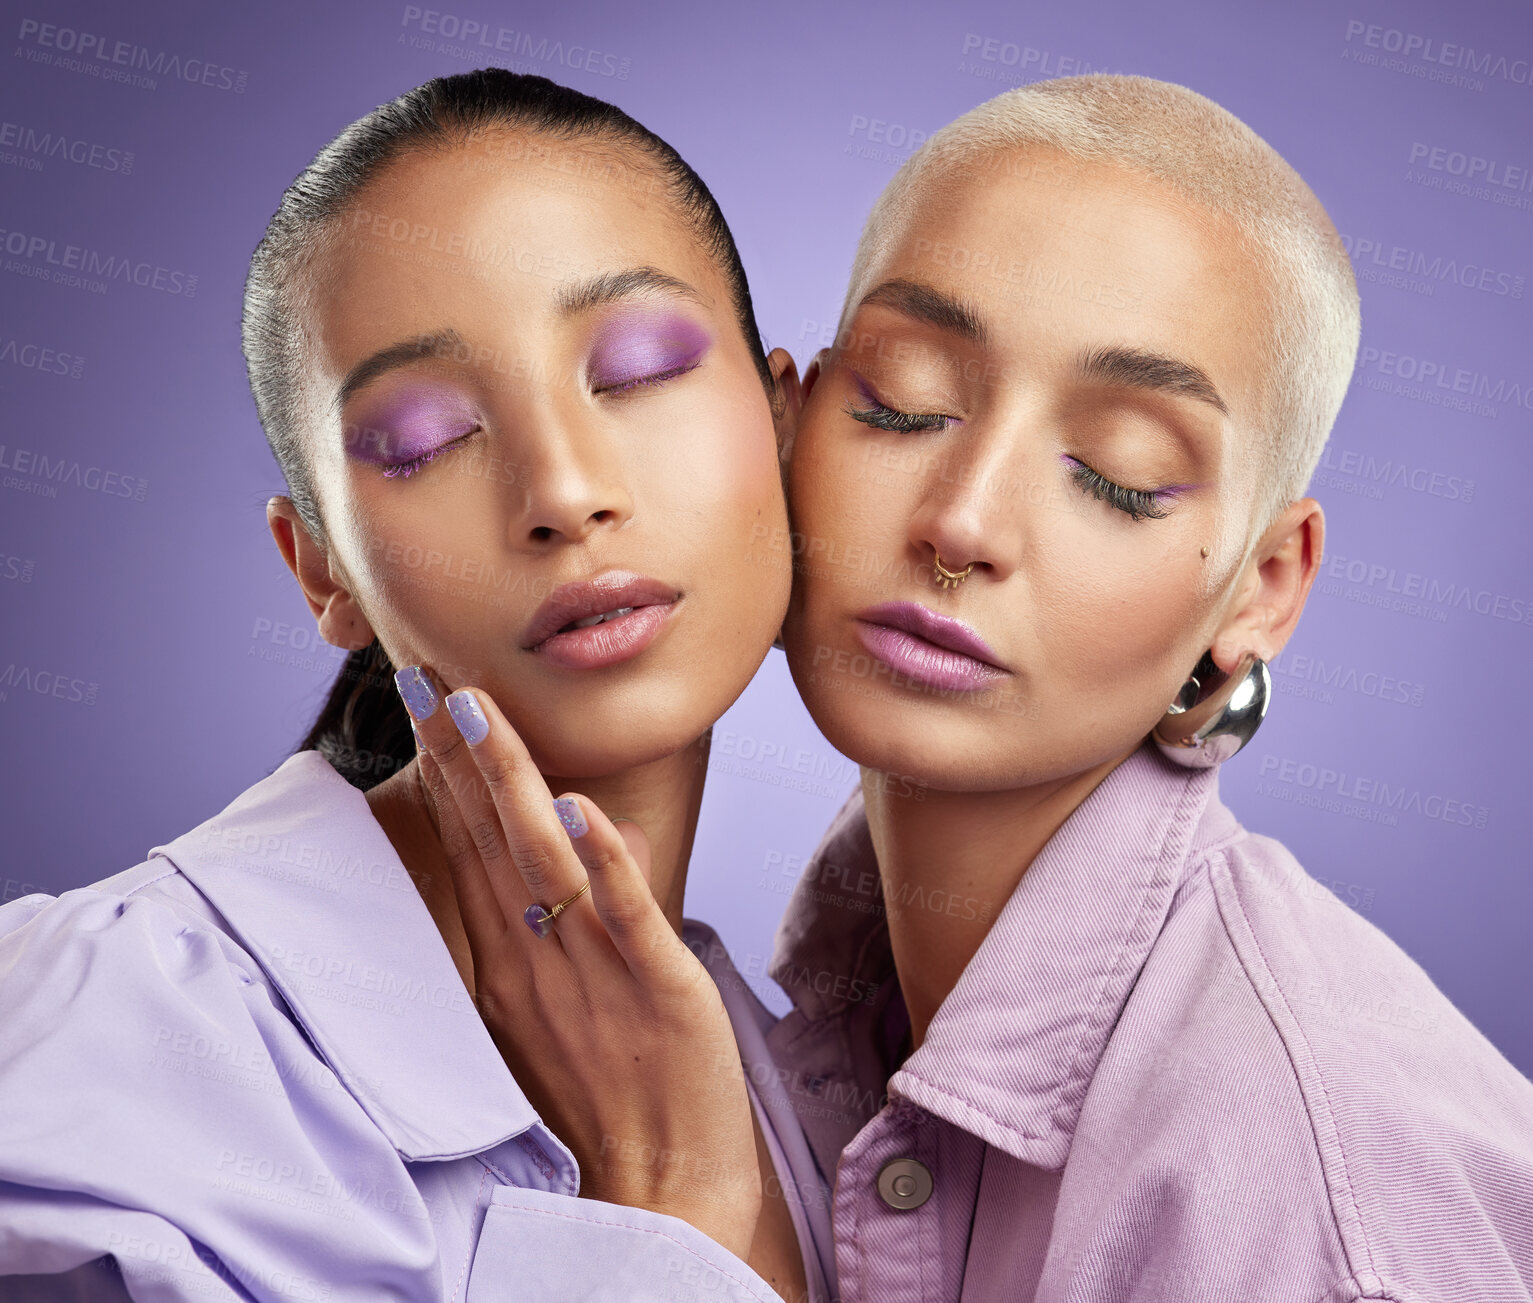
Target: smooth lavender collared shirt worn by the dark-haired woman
<point>248,1069</point>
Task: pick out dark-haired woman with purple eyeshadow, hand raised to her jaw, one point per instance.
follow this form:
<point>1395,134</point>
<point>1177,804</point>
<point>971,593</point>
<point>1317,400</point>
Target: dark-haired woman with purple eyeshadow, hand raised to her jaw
<point>370,1031</point>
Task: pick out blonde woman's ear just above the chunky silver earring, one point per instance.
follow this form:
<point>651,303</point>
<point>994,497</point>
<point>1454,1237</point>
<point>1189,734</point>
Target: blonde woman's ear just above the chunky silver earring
<point>1275,588</point>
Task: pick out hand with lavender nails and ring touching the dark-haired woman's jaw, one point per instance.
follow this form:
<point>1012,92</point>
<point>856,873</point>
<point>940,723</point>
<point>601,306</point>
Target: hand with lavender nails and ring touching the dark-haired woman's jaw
<point>609,1023</point>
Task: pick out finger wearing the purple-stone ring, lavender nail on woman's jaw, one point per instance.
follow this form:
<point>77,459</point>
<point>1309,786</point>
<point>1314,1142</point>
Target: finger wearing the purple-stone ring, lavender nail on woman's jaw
<point>511,810</point>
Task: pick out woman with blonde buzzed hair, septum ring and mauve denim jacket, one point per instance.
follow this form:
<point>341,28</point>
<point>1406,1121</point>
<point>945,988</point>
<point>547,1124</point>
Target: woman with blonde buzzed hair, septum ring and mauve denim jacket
<point>1109,1045</point>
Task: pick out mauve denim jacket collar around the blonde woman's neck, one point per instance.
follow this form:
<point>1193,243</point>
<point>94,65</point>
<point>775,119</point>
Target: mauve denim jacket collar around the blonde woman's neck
<point>1011,1052</point>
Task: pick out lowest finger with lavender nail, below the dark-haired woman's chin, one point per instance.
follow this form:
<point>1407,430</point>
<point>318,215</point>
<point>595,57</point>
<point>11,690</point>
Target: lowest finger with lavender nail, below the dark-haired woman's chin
<point>619,890</point>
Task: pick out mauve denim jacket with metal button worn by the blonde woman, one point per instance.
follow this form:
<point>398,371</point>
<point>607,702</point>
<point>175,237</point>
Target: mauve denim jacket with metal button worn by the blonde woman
<point>1177,1069</point>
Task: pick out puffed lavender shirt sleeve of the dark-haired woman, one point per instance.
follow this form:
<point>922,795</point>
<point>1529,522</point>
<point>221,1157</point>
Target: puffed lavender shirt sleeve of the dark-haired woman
<point>159,1112</point>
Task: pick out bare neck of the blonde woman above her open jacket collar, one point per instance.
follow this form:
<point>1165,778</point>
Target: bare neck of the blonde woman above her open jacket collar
<point>950,861</point>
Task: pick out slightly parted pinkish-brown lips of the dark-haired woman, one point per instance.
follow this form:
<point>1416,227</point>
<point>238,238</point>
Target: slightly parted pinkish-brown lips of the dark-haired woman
<point>612,640</point>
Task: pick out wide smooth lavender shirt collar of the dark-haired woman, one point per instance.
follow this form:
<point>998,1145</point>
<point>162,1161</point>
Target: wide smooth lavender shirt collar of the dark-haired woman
<point>315,891</point>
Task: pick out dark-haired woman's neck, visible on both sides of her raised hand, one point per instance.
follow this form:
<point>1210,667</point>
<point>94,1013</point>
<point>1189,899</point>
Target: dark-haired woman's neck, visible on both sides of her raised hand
<point>663,798</point>
